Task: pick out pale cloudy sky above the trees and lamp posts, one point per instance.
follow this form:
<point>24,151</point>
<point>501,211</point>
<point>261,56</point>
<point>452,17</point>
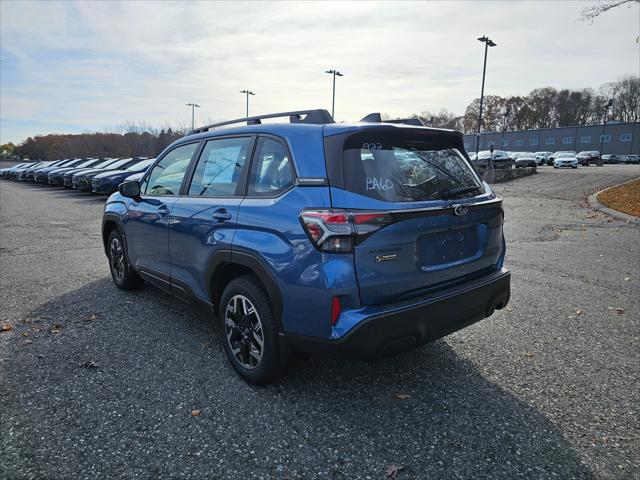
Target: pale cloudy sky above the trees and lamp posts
<point>70,67</point>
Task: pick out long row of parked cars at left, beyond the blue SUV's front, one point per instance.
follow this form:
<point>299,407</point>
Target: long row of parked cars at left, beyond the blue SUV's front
<point>97,175</point>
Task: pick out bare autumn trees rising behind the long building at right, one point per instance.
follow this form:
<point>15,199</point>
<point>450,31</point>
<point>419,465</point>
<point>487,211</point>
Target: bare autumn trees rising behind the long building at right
<point>546,108</point>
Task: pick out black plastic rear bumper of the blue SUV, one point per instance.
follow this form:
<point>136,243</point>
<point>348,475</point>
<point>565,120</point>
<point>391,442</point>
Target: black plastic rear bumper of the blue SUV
<point>404,326</point>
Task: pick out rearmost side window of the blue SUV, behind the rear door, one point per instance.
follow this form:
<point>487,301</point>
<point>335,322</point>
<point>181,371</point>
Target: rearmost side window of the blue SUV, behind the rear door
<point>271,170</point>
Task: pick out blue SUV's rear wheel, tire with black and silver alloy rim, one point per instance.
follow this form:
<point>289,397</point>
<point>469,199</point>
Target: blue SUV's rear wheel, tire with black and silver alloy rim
<point>247,318</point>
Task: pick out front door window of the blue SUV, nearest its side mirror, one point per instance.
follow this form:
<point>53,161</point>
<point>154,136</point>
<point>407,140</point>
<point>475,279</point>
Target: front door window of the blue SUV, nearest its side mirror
<point>166,177</point>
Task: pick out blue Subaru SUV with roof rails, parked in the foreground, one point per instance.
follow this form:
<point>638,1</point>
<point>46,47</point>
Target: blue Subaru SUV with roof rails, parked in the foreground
<point>363,239</point>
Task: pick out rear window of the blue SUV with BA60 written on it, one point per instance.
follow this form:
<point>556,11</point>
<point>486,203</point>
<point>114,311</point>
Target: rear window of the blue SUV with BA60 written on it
<point>405,170</point>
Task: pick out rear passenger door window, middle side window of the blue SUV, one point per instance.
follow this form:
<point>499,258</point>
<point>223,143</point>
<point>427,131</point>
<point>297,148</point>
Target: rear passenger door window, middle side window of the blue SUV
<point>219,167</point>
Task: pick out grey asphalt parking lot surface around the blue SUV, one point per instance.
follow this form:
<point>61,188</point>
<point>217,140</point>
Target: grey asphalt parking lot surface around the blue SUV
<point>100,383</point>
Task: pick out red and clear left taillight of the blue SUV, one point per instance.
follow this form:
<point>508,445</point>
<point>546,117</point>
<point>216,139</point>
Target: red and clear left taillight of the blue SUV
<point>338,231</point>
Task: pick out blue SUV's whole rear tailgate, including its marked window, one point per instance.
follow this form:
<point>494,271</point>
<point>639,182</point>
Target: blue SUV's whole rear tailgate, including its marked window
<point>432,237</point>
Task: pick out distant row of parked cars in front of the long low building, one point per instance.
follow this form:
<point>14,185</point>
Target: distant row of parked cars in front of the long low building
<point>566,158</point>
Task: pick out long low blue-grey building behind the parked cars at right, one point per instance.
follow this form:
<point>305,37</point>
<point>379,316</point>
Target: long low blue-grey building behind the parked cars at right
<point>618,138</point>
